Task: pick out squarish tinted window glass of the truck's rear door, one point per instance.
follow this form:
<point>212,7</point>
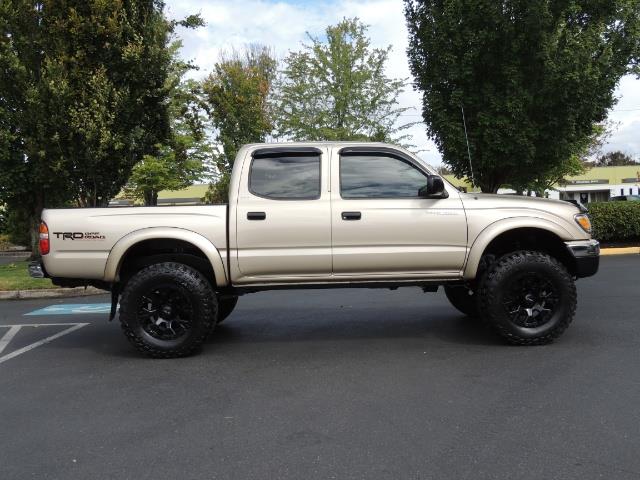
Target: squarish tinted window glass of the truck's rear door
<point>292,177</point>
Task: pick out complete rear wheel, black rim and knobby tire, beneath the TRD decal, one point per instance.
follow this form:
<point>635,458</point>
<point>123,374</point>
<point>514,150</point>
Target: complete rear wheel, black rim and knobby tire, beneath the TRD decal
<point>167,310</point>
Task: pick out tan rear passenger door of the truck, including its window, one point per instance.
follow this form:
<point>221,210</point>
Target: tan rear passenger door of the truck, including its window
<point>283,215</point>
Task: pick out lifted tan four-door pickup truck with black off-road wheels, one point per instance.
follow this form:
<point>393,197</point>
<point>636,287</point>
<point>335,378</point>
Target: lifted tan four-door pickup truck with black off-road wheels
<point>320,215</point>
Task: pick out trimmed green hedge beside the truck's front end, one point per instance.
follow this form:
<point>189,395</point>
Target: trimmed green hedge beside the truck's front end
<point>615,221</point>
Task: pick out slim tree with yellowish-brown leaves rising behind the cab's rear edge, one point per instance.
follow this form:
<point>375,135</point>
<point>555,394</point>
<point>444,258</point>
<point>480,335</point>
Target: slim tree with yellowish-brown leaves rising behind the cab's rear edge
<point>237,93</point>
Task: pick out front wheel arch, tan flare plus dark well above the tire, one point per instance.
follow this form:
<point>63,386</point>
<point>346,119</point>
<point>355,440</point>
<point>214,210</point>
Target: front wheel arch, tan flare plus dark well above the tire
<point>521,233</point>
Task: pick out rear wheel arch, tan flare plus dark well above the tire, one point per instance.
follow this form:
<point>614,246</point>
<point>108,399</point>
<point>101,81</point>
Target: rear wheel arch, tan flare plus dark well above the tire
<point>164,239</point>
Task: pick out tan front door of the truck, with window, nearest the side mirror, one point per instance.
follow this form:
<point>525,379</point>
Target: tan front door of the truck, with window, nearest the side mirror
<point>381,226</point>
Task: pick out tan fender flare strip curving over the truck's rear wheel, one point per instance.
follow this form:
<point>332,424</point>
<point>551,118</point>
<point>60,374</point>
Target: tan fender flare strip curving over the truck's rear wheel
<point>123,245</point>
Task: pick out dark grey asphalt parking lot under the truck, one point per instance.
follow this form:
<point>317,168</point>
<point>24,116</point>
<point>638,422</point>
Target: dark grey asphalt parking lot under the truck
<point>345,384</point>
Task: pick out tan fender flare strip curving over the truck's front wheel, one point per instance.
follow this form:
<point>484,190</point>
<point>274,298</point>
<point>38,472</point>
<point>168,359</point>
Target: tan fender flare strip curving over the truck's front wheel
<point>492,231</point>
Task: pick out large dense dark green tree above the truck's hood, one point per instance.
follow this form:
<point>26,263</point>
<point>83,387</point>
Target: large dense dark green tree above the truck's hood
<point>533,77</point>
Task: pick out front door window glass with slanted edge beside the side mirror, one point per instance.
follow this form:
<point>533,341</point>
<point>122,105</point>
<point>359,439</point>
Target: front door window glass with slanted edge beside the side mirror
<point>374,176</point>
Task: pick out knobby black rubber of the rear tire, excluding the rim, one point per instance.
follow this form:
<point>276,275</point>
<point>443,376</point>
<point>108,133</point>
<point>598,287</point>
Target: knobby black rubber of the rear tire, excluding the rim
<point>197,290</point>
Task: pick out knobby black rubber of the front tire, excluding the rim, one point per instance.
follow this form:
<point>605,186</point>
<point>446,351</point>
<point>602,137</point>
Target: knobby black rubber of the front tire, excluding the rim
<point>501,276</point>
